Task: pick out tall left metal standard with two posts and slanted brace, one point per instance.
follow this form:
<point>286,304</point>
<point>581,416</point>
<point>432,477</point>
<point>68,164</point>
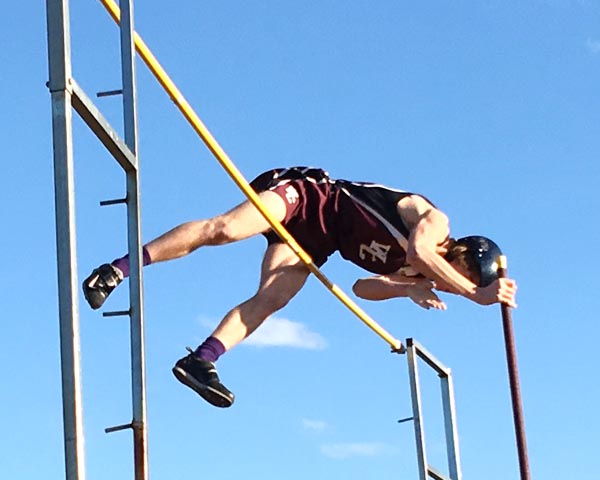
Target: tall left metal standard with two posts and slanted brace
<point>67,94</point>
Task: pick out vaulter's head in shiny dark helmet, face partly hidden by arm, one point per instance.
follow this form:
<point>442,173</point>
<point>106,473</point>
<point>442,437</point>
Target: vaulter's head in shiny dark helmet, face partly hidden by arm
<point>477,256</point>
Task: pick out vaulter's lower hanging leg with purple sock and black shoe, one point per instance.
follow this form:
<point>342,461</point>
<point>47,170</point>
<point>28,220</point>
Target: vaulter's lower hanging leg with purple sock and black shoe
<point>282,276</point>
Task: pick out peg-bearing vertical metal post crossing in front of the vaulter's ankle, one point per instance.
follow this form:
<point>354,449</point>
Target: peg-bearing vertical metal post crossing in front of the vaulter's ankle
<point>138,377</point>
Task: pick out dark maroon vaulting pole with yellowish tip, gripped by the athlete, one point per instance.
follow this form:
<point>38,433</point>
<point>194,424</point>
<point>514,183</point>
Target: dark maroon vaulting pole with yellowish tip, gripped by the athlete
<point>513,374</point>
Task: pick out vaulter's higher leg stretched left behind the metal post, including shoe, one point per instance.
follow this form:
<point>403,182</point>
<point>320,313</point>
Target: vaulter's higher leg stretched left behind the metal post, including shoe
<point>237,224</point>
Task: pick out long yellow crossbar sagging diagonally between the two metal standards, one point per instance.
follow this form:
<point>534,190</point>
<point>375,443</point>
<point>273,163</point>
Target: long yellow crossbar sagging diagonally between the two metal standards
<point>197,124</point>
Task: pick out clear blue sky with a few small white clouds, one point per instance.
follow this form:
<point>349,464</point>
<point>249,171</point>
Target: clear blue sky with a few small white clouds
<point>489,108</point>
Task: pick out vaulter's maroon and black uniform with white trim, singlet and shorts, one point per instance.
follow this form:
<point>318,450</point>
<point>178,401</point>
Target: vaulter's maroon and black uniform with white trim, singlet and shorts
<point>358,219</point>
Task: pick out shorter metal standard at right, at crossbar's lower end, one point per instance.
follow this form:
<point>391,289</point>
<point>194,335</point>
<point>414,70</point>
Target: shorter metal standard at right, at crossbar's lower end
<point>415,351</point>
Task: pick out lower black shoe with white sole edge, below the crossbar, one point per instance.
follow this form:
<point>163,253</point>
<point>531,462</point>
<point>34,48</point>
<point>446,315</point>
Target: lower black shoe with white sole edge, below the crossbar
<point>201,376</point>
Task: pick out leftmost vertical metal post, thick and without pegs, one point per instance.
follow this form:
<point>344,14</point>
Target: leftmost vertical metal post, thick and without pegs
<point>59,55</point>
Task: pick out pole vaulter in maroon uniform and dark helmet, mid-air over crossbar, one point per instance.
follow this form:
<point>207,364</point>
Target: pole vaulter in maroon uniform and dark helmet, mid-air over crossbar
<point>399,236</point>
